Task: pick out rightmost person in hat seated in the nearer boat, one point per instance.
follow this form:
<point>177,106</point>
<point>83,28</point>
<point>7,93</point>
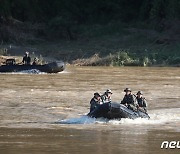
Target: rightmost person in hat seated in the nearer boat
<point>142,103</point>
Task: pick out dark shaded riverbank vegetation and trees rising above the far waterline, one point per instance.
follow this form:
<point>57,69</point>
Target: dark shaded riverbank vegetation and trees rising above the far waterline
<point>96,32</point>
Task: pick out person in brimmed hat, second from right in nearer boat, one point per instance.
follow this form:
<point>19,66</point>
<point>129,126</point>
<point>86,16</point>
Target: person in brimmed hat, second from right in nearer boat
<point>129,100</point>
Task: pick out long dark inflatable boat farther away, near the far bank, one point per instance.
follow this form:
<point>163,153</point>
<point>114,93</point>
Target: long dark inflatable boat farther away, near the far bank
<point>53,67</point>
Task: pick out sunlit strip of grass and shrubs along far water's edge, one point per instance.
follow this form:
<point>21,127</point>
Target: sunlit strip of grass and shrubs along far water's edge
<point>123,58</point>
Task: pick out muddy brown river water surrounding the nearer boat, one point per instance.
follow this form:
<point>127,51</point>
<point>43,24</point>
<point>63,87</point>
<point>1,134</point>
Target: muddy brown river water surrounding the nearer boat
<point>45,113</point>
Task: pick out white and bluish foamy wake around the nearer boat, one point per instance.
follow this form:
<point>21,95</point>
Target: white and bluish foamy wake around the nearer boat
<point>158,117</point>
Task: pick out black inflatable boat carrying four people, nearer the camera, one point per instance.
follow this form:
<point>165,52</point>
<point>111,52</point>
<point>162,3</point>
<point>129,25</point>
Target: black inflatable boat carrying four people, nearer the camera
<point>116,111</point>
